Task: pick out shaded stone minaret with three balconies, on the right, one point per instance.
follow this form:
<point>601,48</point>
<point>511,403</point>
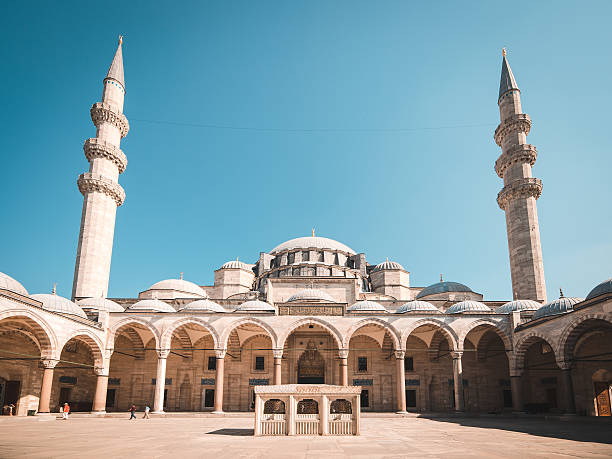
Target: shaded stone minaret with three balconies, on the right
<point>518,196</point>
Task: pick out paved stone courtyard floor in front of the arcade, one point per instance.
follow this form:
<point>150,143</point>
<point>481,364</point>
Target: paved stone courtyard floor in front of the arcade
<point>383,435</point>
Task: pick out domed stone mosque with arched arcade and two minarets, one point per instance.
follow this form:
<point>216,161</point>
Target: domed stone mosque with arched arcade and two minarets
<point>310,310</point>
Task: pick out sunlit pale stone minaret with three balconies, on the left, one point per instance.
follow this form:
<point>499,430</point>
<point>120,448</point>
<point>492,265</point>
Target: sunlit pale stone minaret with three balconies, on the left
<point>101,191</point>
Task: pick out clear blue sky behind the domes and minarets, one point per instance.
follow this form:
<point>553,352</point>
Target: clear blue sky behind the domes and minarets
<point>373,123</point>
